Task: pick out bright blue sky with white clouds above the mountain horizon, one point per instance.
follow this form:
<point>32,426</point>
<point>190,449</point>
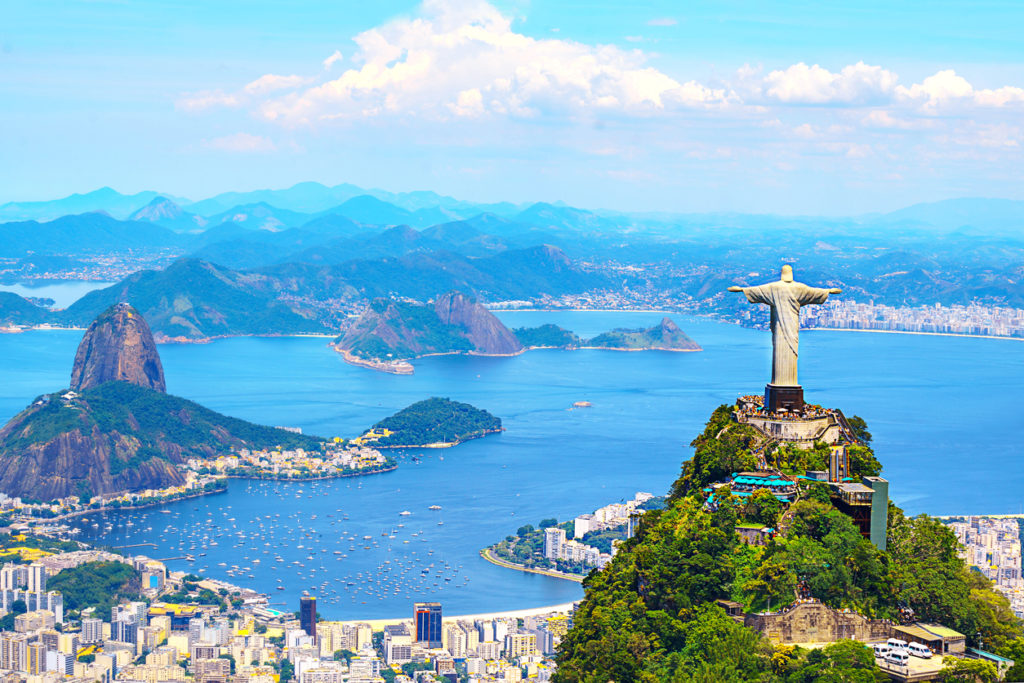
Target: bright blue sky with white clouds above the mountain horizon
<point>789,108</point>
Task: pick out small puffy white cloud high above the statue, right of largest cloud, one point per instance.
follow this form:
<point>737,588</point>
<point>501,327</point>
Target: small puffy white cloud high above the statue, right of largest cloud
<point>856,84</point>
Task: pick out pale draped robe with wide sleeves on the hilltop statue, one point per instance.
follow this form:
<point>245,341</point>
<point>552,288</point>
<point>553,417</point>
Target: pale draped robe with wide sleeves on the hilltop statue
<point>786,301</point>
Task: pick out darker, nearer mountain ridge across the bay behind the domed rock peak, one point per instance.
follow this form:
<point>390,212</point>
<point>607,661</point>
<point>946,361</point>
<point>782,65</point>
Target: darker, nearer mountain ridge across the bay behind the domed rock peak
<point>194,300</point>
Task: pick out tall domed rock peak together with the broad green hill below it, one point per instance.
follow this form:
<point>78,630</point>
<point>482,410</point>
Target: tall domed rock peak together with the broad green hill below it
<point>116,431</point>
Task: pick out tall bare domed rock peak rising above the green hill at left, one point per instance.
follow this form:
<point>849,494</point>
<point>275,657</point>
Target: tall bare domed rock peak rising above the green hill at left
<point>118,347</point>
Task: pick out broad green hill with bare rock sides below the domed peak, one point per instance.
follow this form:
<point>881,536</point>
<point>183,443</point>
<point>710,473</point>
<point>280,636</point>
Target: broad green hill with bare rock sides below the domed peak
<point>119,438</point>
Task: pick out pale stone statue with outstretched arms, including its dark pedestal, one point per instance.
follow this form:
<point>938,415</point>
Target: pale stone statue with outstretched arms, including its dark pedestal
<point>786,297</point>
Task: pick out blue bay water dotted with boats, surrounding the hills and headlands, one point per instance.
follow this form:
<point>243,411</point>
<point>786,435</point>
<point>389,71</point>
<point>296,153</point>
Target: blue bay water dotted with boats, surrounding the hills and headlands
<point>944,411</point>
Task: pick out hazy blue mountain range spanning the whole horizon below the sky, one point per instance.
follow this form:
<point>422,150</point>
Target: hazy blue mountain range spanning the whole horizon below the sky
<point>318,245</point>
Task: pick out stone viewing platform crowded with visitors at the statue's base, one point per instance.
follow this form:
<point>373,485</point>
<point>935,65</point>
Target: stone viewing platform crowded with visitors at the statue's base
<point>801,430</point>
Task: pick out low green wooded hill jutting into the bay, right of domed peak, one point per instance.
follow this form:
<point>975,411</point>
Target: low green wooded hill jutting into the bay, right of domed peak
<point>435,423</point>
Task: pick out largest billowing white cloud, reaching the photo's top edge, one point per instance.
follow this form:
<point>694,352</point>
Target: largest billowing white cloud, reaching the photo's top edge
<point>424,67</point>
